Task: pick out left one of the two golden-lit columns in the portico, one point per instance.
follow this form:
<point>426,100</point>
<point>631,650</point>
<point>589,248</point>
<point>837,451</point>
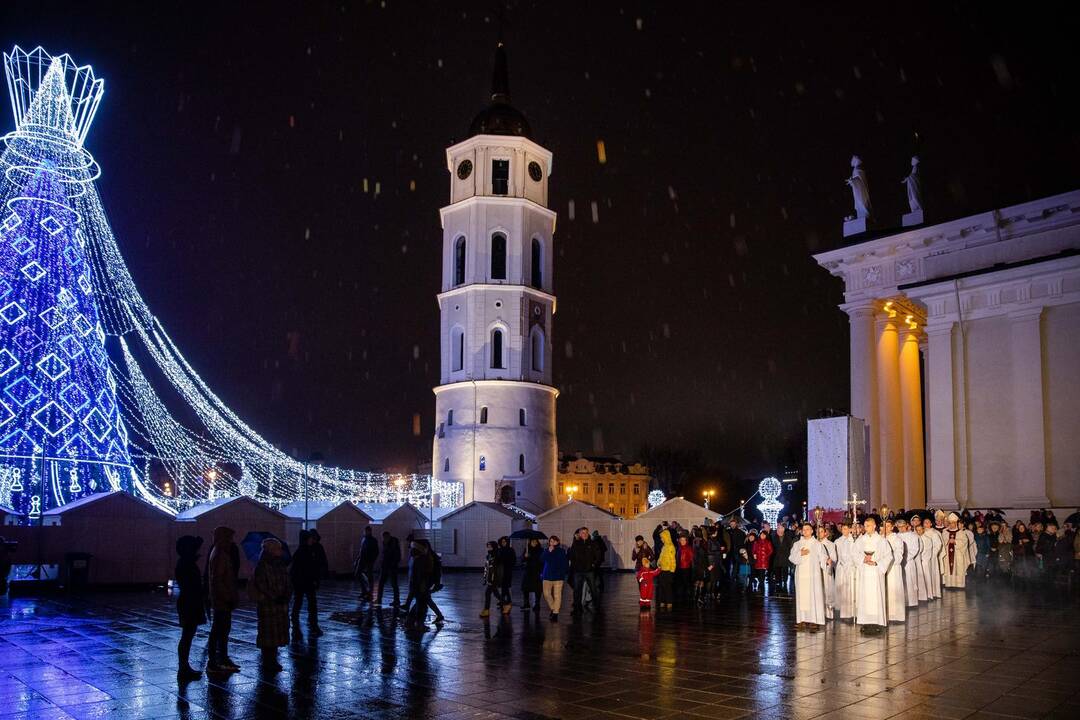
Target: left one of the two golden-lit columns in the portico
<point>890,425</point>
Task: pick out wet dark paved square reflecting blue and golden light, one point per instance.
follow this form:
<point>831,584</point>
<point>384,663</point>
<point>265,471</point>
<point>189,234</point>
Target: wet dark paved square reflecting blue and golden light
<point>971,656</point>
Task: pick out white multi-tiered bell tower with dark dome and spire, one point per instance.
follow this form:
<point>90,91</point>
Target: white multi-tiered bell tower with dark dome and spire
<point>495,407</point>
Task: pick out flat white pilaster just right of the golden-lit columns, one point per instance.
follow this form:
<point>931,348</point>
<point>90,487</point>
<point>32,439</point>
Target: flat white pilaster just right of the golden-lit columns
<point>941,412</point>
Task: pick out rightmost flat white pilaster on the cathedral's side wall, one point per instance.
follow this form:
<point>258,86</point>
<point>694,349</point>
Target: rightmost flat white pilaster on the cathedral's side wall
<point>1030,487</point>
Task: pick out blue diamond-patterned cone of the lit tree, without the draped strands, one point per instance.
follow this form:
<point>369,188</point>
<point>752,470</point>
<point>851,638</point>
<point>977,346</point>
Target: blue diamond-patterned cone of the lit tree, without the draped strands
<point>62,437</point>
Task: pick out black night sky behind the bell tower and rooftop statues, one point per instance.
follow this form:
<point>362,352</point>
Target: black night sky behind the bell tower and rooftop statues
<point>236,146</point>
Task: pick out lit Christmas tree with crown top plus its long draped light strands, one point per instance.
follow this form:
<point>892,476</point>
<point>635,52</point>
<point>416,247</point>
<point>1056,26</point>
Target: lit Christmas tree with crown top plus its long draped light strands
<point>87,302</point>
